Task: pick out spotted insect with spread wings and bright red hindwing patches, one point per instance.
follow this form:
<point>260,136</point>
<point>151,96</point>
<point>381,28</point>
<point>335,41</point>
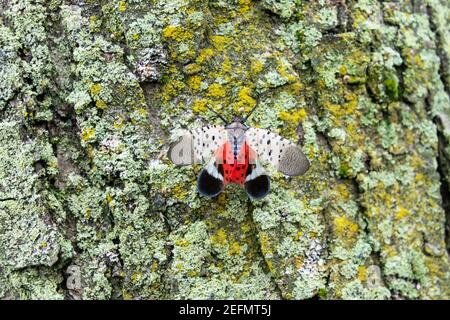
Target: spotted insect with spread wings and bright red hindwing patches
<point>235,154</point>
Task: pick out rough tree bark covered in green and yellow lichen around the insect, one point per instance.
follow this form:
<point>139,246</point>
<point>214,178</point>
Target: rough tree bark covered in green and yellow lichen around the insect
<point>91,92</point>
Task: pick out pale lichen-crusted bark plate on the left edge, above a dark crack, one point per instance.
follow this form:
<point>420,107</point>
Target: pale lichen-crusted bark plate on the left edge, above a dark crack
<point>29,238</point>
